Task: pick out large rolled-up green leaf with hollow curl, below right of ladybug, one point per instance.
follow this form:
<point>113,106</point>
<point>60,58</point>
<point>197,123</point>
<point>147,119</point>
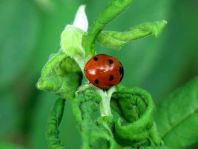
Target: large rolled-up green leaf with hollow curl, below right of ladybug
<point>134,124</point>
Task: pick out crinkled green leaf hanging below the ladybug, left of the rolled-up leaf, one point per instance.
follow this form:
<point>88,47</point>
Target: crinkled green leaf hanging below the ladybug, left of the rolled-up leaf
<point>95,130</point>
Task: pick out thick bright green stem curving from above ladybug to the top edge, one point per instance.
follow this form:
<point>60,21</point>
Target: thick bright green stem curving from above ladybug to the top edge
<point>108,14</point>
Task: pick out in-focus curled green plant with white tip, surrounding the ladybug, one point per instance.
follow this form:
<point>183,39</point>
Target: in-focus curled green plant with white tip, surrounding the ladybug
<point>136,129</point>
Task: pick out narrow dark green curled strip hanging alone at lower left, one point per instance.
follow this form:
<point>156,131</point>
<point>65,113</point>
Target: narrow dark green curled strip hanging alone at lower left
<point>54,121</point>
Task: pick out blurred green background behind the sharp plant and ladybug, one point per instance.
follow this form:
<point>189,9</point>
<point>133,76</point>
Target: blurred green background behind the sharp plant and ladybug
<point>30,32</point>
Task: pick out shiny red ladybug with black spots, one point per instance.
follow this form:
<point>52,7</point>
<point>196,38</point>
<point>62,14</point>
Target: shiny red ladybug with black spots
<point>103,71</point>
